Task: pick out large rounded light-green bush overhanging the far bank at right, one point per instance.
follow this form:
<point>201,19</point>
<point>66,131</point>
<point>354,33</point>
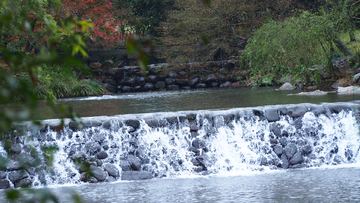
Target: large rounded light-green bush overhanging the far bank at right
<point>289,47</point>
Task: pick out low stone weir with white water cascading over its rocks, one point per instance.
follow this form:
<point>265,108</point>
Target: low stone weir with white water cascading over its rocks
<point>156,145</point>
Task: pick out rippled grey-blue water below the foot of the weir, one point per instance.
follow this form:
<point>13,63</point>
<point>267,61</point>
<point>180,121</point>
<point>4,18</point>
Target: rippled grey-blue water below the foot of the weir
<point>309,185</point>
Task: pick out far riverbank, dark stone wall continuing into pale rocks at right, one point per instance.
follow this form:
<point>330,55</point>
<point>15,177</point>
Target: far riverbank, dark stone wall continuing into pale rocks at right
<point>215,74</point>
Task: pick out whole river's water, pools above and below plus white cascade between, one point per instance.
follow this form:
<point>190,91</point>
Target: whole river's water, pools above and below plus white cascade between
<point>223,153</point>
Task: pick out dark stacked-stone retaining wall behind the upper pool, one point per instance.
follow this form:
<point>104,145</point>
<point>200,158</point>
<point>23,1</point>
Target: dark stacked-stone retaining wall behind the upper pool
<point>158,77</point>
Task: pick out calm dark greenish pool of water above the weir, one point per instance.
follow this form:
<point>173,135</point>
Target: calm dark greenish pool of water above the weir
<point>132,103</point>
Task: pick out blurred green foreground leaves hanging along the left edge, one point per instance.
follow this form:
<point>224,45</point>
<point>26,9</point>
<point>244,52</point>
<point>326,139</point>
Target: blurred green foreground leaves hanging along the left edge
<point>66,33</point>
